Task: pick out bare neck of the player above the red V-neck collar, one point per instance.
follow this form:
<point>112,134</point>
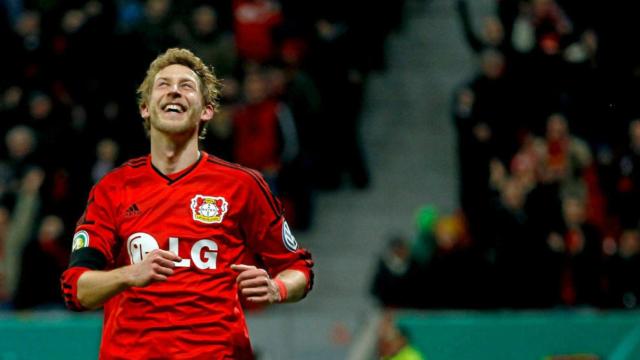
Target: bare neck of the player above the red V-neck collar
<point>171,155</point>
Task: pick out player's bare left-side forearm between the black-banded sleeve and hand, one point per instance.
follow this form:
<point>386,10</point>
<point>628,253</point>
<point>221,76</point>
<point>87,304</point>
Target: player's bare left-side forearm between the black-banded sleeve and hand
<point>96,287</point>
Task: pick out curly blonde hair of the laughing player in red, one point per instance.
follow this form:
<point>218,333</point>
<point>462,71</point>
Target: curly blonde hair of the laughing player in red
<point>209,84</point>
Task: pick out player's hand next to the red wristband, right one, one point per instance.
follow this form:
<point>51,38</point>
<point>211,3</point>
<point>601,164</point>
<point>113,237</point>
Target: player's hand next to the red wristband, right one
<point>256,285</point>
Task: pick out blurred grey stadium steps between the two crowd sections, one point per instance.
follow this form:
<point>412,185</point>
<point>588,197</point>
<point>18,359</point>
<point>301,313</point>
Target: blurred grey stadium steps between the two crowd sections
<point>408,137</point>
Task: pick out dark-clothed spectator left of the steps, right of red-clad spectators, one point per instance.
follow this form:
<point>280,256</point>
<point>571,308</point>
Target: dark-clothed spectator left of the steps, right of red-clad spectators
<point>340,82</point>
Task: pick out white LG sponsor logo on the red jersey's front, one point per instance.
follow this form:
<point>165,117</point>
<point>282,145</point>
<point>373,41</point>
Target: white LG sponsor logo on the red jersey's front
<point>204,253</point>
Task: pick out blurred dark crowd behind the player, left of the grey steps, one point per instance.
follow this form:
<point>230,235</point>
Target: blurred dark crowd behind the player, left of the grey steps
<point>293,76</point>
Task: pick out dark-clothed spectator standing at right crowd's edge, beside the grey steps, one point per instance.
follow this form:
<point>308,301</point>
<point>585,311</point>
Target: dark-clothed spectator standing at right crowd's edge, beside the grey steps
<point>486,130</point>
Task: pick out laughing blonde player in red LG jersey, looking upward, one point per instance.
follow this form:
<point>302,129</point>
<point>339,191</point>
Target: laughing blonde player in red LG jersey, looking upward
<point>167,241</point>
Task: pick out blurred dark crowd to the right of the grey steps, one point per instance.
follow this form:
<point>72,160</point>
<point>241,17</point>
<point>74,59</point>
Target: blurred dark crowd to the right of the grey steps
<point>548,140</point>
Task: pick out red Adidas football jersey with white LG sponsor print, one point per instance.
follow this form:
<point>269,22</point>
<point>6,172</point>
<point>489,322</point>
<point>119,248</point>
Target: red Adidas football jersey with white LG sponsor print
<point>212,215</point>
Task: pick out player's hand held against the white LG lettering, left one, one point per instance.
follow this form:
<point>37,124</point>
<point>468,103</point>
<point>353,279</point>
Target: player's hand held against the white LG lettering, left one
<point>156,266</point>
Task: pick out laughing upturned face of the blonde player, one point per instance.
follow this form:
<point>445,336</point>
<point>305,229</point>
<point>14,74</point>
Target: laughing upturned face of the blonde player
<point>175,105</point>
